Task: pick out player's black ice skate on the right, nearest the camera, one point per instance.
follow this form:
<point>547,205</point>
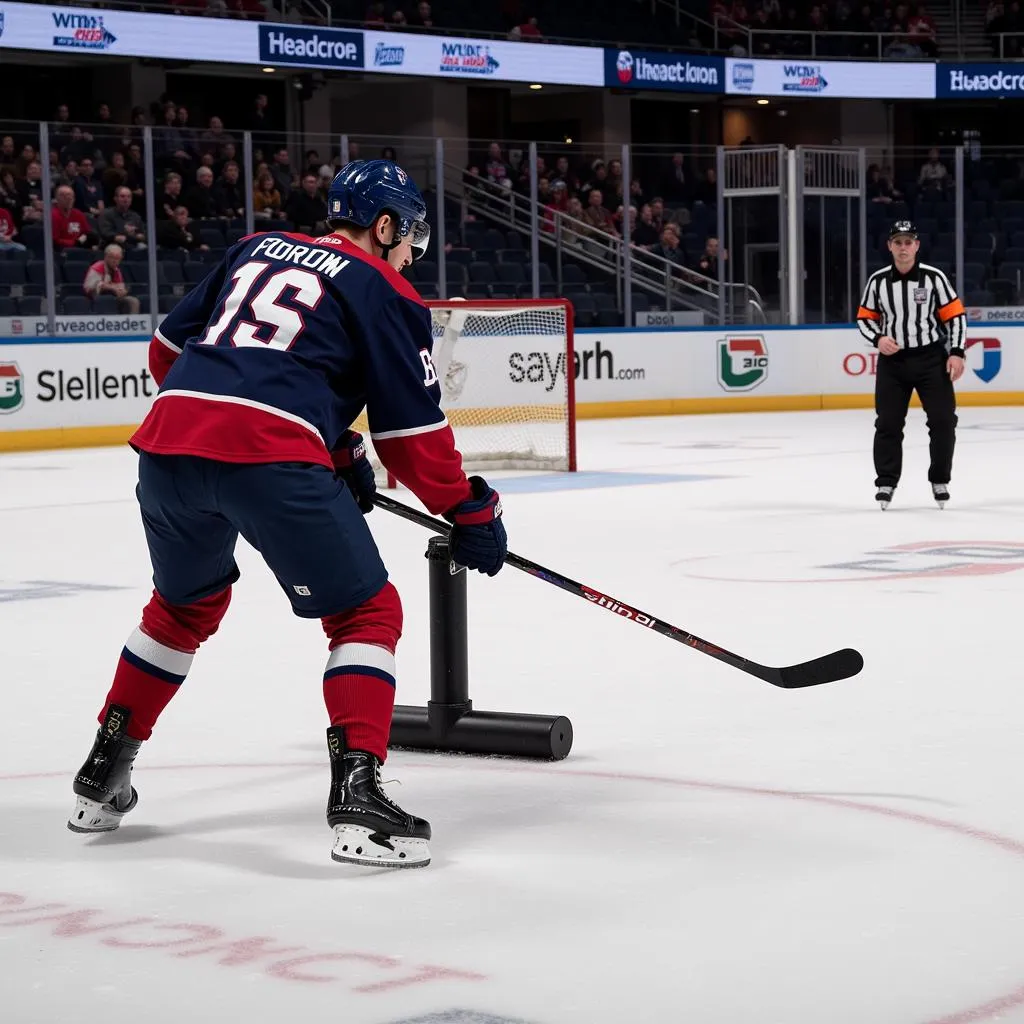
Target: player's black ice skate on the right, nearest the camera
<point>369,829</point>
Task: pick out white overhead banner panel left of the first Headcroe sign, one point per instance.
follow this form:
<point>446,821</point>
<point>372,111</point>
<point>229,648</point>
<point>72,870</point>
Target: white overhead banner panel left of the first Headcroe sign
<point>126,33</point>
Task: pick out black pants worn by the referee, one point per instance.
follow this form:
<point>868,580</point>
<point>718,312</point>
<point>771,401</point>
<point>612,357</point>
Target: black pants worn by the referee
<point>898,377</point>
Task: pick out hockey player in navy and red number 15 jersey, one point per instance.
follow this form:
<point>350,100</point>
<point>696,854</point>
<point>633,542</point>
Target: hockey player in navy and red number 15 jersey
<point>263,369</point>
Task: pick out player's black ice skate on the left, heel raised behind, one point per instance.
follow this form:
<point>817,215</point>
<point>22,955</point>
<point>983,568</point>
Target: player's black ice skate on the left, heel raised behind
<point>104,783</point>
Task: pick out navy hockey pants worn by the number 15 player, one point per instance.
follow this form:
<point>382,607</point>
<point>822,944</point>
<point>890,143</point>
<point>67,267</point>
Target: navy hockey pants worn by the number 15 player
<point>303,521</point>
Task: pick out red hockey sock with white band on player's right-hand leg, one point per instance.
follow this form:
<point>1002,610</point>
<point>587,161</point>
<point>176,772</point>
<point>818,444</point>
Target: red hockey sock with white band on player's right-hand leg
<point>359,680</point>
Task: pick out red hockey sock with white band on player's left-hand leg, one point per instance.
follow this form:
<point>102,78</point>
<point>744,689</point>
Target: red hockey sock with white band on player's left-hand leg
<point>158,656</point>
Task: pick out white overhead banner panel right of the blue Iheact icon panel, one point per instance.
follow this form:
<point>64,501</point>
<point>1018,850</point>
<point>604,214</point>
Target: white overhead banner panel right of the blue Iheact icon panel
<point>837,79</point>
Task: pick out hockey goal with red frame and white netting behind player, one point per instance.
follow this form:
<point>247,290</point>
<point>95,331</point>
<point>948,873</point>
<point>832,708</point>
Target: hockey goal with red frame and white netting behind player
<point>507,375</point>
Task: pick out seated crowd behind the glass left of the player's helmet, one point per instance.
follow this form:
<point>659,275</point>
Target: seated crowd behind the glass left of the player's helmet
<point>98,206</point>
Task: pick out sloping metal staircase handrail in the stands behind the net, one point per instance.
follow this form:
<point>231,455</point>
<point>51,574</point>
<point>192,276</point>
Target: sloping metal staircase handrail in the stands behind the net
<point>671,283</point>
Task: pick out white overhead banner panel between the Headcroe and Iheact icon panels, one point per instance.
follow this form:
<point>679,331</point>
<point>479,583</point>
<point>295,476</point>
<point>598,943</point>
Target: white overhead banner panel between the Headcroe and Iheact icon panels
<point>473,60</point>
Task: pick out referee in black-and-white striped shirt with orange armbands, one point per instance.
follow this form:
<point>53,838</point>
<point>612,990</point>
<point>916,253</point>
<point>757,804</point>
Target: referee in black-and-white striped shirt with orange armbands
<point>912,315</point>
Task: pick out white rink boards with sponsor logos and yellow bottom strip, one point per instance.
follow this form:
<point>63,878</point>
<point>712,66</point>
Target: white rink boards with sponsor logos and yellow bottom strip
<point>88,391</point>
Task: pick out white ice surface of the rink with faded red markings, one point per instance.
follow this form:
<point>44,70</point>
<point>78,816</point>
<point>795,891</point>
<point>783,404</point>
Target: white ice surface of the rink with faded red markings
<point>714,851</point>
